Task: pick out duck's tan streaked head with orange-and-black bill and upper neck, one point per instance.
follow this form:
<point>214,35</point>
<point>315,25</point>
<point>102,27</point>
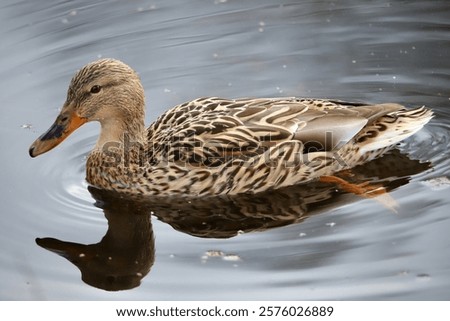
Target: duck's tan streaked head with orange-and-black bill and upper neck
<point>107,91</point>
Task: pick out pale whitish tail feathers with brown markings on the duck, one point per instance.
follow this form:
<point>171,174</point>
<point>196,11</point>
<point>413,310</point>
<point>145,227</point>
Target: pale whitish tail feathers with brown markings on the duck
<point>392,128</point>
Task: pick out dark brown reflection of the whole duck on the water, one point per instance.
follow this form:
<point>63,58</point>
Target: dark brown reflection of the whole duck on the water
<point>127,251</point>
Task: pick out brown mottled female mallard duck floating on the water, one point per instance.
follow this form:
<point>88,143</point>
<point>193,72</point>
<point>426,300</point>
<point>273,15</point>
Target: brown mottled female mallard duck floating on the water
<point>219,146</point>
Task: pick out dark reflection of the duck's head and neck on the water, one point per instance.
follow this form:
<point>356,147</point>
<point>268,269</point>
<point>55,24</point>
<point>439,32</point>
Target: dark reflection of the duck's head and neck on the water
<point>123,256</point>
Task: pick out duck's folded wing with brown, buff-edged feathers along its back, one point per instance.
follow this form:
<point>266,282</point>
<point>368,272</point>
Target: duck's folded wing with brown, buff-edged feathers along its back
<point>212,131</point>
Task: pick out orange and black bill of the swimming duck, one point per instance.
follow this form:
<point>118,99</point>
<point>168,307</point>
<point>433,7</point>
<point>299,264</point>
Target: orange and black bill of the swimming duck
<point>60,130</point>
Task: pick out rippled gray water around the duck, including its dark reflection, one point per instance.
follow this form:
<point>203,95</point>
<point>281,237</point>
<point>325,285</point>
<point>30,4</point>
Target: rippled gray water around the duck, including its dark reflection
<point>283,246</point>
